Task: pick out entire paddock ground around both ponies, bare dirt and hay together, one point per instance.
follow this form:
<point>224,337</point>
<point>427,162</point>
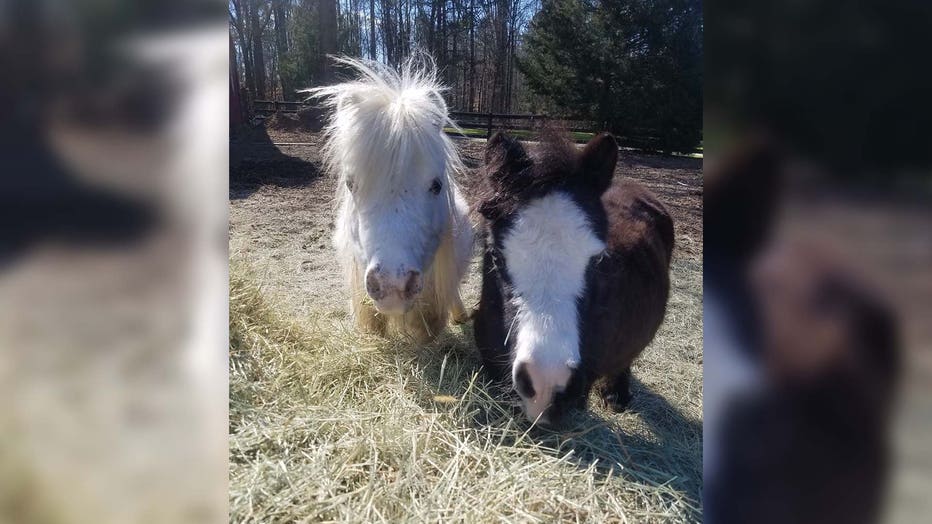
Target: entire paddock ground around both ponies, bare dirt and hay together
<point>327,424</point>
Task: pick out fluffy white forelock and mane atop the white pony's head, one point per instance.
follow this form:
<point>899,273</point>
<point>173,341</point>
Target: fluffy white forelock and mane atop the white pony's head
<point>381,120</point>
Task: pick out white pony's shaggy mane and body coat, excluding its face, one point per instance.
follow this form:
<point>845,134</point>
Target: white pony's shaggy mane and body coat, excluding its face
<point>383,123</point>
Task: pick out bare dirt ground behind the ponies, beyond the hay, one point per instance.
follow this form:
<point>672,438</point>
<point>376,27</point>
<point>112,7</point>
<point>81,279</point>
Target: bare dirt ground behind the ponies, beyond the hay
<point>281,212</point>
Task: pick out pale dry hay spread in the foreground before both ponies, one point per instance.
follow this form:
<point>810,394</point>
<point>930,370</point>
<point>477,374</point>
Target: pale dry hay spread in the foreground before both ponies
<point>330,425</point>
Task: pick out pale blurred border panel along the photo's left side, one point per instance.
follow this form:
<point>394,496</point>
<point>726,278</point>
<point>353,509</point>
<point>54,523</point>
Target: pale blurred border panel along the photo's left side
<point>113,282</point>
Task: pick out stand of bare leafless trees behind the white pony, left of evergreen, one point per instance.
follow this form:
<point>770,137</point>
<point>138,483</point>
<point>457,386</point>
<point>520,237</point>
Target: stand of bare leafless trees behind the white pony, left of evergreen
<point>474,42</point>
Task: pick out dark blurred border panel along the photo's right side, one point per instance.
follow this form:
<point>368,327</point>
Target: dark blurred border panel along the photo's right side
<point>818,261</point>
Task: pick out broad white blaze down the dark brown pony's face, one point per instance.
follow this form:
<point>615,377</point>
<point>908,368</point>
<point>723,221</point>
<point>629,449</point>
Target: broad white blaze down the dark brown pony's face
<point>547,252</point>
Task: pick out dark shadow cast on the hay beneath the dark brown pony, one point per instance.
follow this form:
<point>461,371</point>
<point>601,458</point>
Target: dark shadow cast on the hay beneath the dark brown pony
<point>661,448</point>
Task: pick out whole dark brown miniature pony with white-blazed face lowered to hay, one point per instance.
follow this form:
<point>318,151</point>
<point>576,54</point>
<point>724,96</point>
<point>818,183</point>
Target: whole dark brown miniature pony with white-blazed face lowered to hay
<point>575,273</point>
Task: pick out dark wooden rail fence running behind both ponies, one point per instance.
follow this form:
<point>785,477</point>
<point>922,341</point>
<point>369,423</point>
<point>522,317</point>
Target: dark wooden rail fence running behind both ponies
<point>490,122</point>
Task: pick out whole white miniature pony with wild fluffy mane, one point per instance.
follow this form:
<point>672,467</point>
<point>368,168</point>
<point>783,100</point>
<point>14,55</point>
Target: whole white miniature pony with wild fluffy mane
<point>402,233</point>
